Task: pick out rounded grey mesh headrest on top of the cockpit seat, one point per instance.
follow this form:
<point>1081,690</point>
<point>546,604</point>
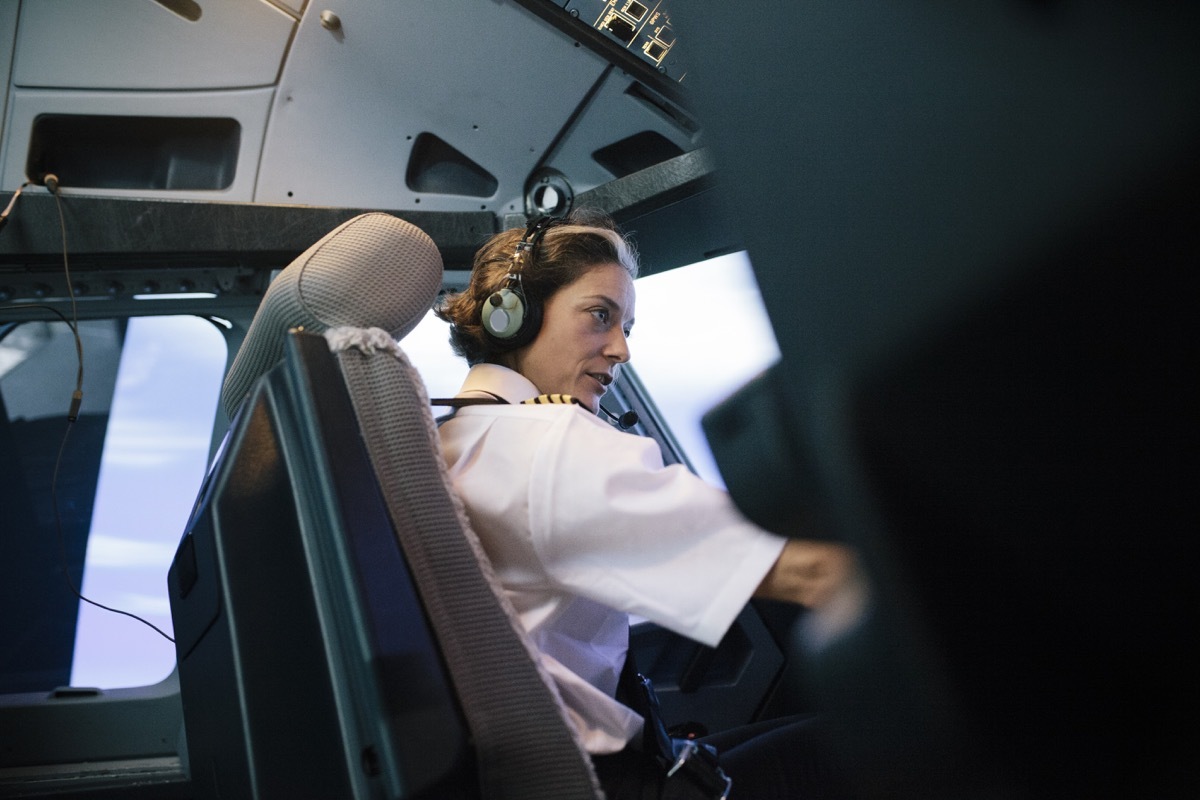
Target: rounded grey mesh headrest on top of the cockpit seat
<point>373,272</point>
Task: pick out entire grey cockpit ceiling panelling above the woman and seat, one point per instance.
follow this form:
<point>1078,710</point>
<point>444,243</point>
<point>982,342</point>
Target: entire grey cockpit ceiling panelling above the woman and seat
<point>333,110</point>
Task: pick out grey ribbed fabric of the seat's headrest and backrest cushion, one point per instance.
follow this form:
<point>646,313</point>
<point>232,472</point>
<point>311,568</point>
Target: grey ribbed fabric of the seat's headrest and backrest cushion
<point>526,747</point>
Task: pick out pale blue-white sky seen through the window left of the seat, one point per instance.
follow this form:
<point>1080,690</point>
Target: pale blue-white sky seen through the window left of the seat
<point>157,450</point>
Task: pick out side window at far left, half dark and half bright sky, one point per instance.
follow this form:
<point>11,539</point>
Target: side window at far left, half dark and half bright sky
<point>99,504</point>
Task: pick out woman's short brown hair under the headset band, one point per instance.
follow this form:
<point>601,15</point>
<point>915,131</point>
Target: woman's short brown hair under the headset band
<point>567,251</point>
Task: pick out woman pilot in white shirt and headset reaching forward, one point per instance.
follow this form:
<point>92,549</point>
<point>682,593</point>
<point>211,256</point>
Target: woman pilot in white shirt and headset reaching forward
<point>583,522</point>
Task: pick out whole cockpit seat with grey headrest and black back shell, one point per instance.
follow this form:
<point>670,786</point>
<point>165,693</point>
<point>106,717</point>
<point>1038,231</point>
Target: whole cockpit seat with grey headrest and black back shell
<point>323,407</point>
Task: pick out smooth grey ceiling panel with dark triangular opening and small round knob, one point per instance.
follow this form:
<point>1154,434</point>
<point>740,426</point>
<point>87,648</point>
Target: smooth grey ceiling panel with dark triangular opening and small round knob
<point>443,107</point>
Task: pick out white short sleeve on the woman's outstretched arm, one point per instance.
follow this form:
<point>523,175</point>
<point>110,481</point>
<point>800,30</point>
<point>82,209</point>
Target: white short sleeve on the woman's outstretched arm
<point>611,524</point>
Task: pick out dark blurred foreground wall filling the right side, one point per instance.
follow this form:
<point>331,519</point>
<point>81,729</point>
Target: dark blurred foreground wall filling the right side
<point>976,250</point>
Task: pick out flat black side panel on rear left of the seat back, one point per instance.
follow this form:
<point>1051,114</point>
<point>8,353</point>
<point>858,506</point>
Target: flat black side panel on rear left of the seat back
<point>257,672</point>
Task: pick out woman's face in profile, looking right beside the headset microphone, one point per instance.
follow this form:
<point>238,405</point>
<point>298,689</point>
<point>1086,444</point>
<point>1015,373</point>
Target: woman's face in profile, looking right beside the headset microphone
<point>584,336</point>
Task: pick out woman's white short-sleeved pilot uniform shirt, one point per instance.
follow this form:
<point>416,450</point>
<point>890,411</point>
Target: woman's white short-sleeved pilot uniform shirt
<point>585,526</point>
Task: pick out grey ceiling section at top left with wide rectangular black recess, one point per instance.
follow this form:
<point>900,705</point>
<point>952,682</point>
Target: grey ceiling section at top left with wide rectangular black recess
<point>165,98</point>
